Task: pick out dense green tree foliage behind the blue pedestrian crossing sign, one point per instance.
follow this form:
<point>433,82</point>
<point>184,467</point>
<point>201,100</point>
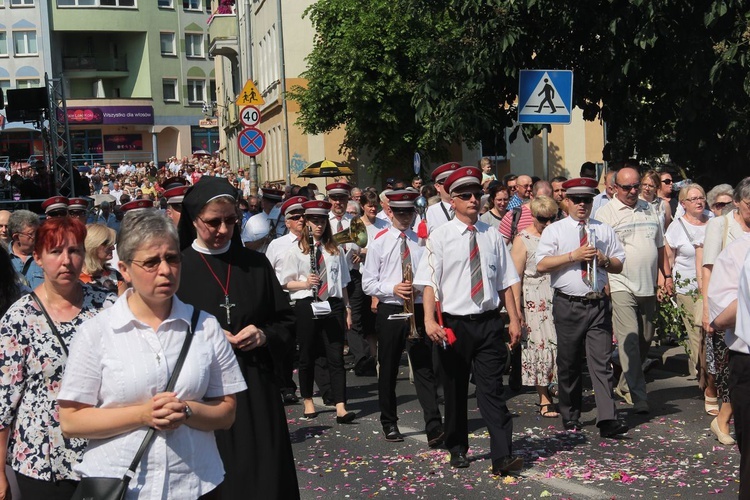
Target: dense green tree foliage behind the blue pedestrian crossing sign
<point>669,77</point>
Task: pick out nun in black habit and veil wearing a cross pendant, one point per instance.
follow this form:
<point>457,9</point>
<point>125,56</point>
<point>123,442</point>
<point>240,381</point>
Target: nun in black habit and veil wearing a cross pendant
<point>239,287</point>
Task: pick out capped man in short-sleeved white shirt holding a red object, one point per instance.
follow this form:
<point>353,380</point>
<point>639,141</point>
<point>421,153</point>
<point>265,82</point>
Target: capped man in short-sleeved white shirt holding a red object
<point>467,268</point>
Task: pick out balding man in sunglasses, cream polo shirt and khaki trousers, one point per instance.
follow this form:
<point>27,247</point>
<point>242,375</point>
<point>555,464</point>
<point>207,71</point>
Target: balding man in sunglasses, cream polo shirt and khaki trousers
<point>633,291</point>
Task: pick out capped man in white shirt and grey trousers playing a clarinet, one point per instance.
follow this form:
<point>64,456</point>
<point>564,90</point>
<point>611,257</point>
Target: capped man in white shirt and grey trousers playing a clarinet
<point>580,307</point>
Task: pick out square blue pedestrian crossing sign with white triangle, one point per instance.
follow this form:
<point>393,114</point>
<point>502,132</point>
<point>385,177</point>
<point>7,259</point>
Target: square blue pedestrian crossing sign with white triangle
<point>545,96</point>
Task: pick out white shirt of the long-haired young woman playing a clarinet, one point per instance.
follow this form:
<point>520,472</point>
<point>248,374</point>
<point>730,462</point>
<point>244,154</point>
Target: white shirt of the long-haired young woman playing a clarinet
<point>297,268</point>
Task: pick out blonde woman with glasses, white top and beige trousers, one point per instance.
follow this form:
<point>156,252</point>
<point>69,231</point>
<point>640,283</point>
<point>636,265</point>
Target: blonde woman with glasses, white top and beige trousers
<point>683,237</point>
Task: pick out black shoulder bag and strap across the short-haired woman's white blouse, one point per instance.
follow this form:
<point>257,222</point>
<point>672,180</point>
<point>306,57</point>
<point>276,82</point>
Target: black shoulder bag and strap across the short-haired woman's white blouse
<point>114,488</point>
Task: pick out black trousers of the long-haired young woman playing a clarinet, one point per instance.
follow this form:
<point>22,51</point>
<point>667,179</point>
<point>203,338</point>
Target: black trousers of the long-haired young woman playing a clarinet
<point>327,331</point>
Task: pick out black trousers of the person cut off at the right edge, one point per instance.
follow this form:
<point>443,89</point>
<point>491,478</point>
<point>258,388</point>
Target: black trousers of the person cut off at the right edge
<point>739,394</point>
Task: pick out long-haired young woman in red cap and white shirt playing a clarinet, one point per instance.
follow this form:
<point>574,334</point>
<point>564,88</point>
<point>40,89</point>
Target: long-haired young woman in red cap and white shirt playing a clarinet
<point>316,276</point>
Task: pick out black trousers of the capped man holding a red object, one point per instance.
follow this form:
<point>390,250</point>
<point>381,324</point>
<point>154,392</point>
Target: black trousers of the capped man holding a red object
<point>479,341</point>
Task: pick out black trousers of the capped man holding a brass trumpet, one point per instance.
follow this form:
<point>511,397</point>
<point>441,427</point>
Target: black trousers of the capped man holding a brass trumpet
<point>392,338</point>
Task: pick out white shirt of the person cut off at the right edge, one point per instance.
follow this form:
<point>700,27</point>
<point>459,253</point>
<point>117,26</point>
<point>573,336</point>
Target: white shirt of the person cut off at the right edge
<point>731,269</point>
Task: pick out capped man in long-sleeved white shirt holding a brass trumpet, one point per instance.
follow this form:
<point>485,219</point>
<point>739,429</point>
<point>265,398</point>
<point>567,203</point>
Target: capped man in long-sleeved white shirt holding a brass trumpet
<point>384,276</point>
